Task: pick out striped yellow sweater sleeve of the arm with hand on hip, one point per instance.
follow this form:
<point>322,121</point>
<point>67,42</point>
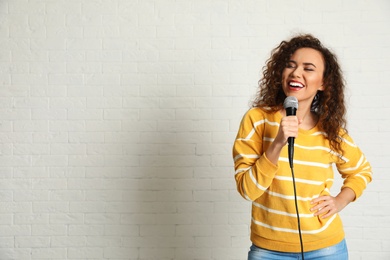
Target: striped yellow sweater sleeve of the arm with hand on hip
<point>355,169</point>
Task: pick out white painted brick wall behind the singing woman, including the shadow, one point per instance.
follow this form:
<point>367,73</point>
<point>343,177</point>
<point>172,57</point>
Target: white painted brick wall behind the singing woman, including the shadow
<point>117,119</point>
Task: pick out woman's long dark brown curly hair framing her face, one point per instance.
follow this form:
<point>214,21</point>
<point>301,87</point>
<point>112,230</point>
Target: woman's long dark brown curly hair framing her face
<point>328,104</point>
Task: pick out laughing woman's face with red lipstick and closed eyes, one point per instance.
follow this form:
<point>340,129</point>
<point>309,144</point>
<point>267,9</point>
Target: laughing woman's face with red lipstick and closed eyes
<point>303,75</point>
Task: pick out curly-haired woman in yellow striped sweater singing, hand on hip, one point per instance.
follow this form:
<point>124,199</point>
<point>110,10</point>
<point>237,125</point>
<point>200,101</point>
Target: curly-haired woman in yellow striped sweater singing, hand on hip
<point>302,68</point>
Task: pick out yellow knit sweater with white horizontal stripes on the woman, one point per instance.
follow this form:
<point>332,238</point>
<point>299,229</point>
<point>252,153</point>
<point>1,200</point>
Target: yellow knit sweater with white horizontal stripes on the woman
<point>270,187</point>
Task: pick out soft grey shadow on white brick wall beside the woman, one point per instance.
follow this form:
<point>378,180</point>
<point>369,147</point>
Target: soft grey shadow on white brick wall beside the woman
<point>184,199</point>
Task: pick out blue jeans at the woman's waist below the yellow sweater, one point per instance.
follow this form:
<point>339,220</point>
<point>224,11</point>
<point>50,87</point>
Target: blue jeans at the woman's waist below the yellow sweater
<point>336,252</point>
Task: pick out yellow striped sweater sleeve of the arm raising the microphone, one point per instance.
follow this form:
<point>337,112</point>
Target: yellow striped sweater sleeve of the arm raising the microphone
<point>253,171</point>
